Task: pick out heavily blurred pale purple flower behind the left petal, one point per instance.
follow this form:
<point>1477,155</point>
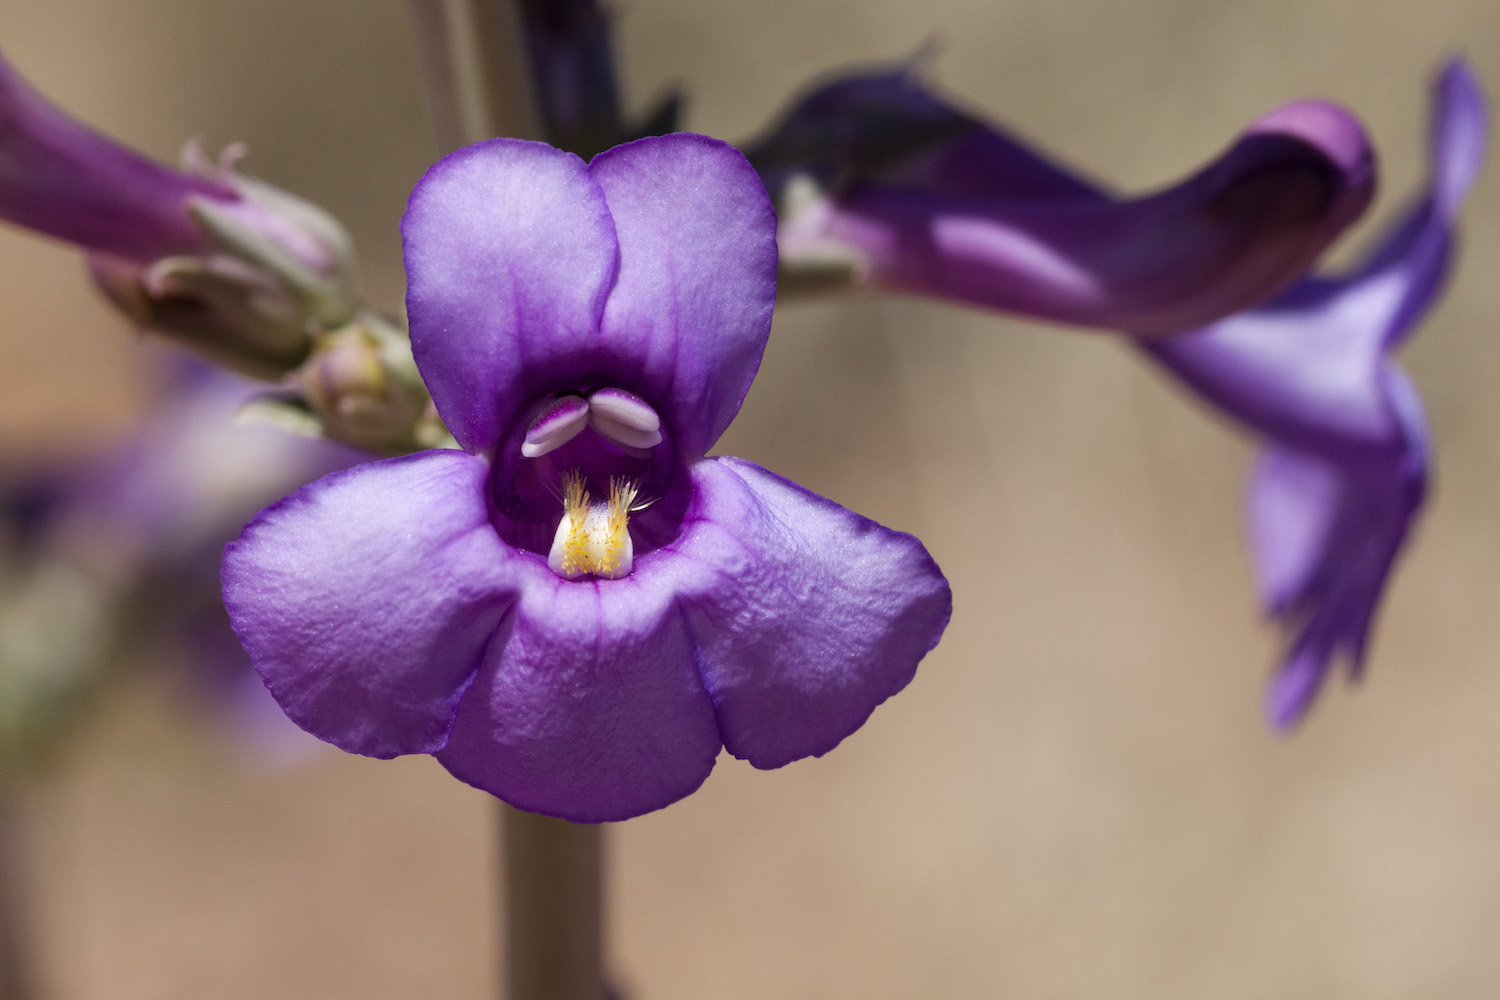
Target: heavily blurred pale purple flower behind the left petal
<point>127,542</point>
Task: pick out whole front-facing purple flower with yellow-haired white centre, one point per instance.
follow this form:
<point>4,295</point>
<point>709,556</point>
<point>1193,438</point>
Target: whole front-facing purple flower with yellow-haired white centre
<point>580,611</point>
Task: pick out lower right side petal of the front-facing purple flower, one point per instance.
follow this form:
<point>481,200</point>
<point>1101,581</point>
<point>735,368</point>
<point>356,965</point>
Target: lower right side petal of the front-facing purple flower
<point>805,614</point>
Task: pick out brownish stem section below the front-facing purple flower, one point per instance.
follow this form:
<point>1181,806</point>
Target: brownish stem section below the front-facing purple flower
<point>554,917</point>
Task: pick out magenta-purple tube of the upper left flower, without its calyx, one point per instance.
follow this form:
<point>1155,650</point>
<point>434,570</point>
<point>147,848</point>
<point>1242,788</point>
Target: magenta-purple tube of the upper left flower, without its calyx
<point>67,181</point>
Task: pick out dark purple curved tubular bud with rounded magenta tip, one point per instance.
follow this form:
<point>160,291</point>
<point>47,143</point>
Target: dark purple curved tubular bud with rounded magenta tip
<point>884,185</point>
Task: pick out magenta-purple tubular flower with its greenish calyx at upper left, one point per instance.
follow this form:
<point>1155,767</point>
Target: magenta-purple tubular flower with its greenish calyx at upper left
<point>230,265</point>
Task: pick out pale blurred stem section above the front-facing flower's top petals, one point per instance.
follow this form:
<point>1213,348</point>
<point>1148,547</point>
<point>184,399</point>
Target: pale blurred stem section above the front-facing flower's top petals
<point>478,70</point>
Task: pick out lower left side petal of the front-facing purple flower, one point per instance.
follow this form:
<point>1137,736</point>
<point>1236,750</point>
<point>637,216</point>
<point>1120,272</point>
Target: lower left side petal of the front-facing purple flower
<point>368,597</point>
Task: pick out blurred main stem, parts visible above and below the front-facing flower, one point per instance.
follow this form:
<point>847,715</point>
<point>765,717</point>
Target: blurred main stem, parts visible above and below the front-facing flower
<point>479,86</point>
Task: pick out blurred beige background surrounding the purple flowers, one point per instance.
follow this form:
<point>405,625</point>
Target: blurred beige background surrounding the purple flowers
<point>1076,798</point>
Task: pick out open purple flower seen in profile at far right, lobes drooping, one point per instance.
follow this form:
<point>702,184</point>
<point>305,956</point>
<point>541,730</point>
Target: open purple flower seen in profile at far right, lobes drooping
<point>1343,478</point>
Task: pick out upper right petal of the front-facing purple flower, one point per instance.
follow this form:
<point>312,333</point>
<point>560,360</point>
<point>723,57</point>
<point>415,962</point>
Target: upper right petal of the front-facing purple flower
<point>692,307</point>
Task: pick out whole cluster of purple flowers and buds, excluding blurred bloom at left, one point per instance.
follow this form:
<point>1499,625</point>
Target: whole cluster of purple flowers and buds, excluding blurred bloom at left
<point>575,608</point>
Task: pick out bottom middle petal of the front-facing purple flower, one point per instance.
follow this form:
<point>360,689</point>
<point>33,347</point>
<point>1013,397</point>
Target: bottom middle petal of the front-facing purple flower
<point>590,705</point>
